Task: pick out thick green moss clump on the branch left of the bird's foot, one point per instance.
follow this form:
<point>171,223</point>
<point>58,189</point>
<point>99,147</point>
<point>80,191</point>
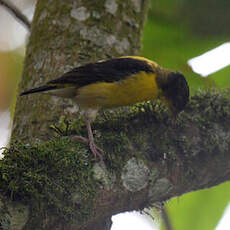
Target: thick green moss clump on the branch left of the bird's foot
<point>46,175</point>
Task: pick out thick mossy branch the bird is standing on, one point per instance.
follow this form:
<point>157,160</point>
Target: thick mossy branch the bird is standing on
<point>148,159</point>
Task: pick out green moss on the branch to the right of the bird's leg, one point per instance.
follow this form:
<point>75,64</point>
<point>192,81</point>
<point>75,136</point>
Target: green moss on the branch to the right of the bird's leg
<point>149,128</point>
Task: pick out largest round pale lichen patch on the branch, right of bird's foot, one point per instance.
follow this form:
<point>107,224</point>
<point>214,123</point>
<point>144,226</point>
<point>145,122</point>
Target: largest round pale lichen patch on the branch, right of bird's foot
<point>135,175</point>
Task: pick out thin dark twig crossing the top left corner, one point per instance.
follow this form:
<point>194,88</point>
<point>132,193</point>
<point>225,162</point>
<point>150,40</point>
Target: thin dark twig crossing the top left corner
<point>16,13</point>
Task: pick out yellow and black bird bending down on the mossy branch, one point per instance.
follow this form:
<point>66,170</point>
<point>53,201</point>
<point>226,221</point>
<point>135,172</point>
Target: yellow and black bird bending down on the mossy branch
<point>117,82</point>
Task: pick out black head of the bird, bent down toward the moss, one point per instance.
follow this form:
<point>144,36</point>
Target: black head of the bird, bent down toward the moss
<point>175,91</point>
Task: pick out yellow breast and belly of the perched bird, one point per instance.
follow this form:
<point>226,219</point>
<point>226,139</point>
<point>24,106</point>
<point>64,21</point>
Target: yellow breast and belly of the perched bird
<point>133,89</point>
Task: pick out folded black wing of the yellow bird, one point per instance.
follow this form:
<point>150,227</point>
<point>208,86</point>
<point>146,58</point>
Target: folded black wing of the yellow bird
<point>106,71</point>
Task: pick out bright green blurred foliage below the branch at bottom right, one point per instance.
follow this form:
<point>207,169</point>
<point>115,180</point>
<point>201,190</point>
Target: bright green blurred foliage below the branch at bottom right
<point>199,210</point>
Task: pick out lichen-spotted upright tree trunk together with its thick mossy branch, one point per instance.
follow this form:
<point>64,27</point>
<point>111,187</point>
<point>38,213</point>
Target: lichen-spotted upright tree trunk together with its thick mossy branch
<point>56,184</point>
